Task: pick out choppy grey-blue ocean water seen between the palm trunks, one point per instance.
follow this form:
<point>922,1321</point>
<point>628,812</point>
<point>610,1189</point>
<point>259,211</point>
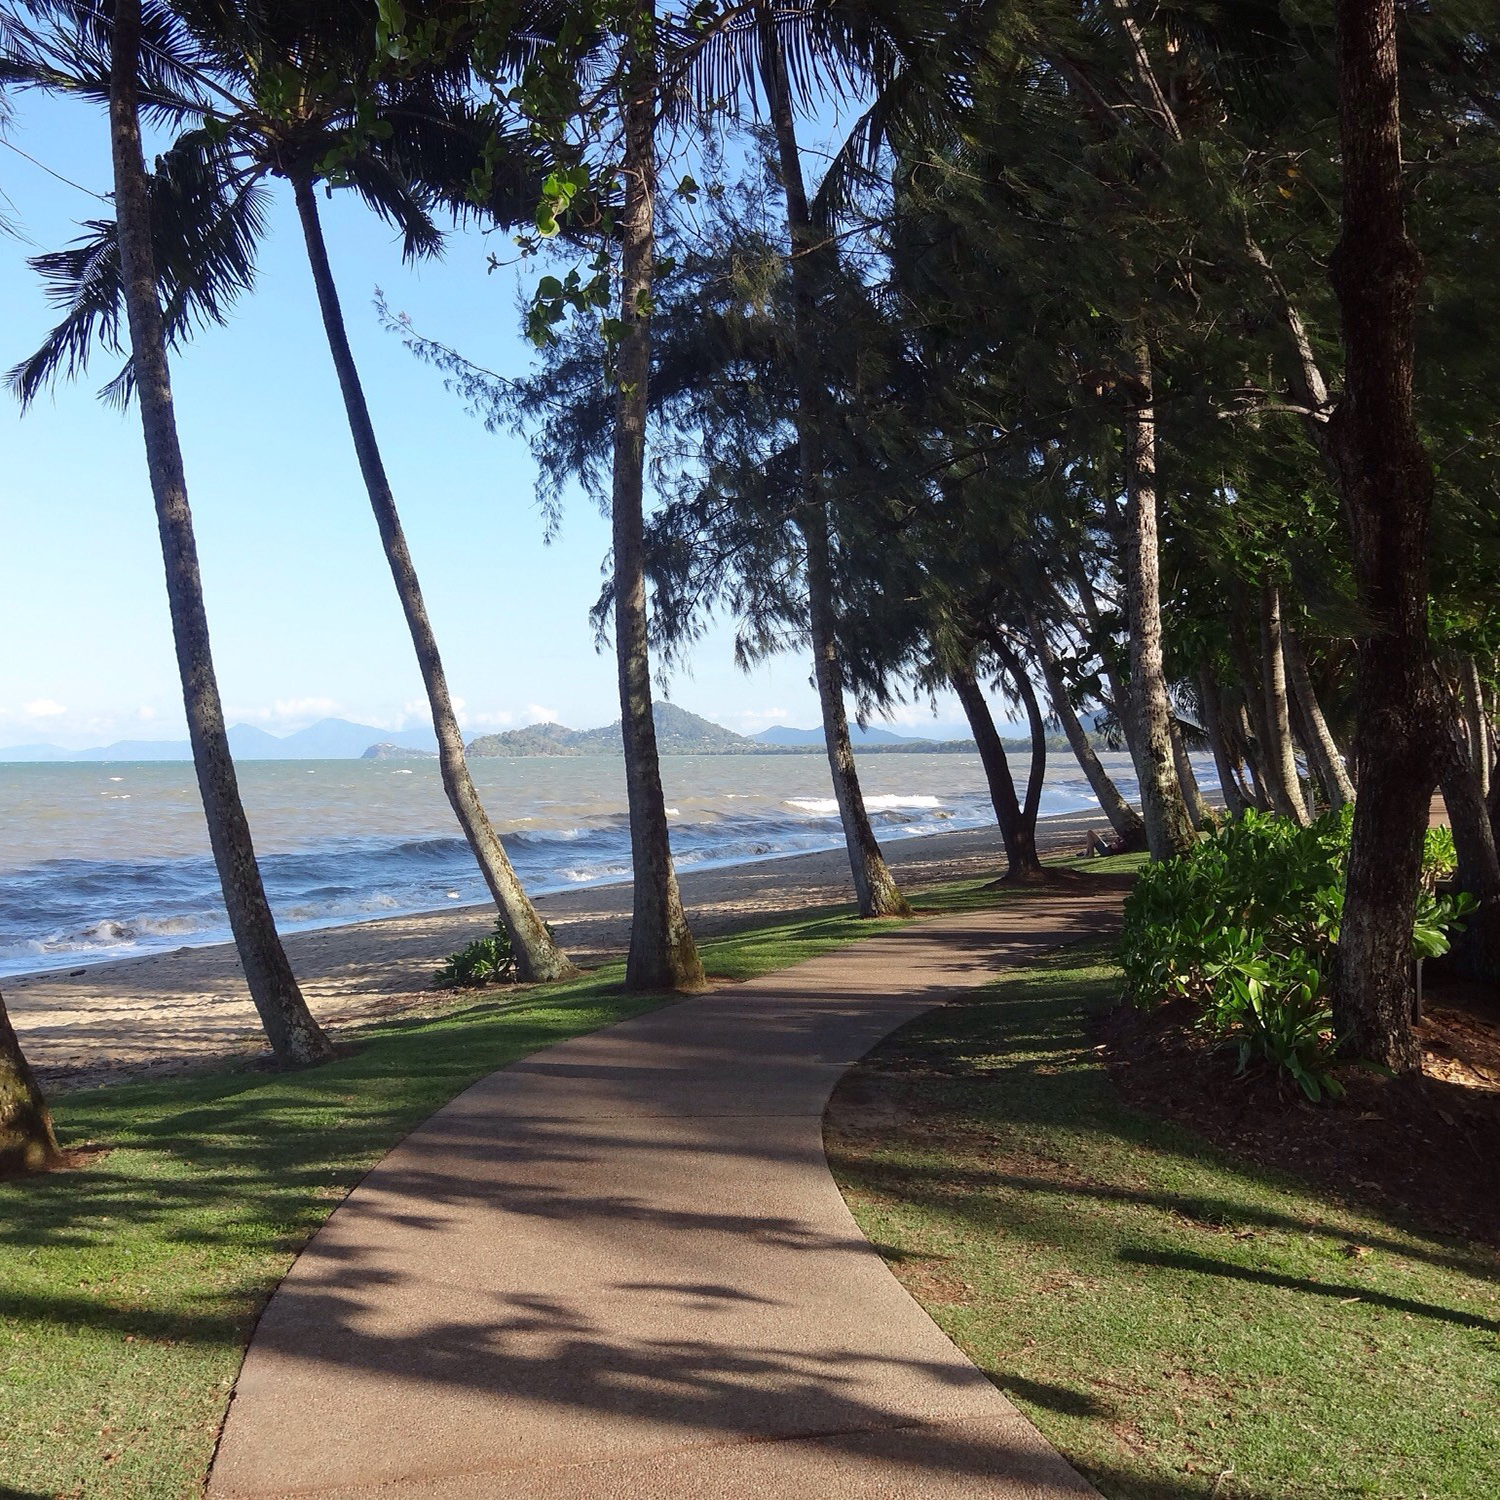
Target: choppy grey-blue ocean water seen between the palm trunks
<point>110,860</point>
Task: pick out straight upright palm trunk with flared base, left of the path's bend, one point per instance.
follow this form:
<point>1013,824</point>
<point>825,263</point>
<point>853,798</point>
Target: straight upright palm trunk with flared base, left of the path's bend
<point>662,952</point>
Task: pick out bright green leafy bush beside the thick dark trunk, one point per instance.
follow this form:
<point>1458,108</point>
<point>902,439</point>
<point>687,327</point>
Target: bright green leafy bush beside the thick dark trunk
<point>1246,928</point>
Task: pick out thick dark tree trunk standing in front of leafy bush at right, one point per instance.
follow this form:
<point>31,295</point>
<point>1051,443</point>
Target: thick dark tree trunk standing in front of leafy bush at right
<point>1387,490</point>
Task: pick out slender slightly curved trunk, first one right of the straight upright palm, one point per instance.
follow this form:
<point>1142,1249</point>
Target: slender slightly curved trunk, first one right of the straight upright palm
<point>875,887</point>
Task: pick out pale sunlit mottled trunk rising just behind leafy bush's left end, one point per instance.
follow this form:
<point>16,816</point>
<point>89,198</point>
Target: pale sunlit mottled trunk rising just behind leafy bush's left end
<point>1169,829</point>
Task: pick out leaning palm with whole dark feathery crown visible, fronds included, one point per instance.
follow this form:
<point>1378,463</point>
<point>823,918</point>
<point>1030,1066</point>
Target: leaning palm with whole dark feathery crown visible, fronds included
<point>283,107</point>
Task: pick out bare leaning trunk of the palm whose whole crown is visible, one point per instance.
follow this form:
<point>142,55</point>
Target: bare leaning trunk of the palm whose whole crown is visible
<point>538,956</point>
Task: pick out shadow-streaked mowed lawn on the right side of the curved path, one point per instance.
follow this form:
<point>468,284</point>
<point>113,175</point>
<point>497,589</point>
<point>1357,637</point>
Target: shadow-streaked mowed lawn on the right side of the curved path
<point>1178,1324</point>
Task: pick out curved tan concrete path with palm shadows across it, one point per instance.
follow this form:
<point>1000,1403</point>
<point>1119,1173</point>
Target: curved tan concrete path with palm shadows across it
<point>620,1268</point>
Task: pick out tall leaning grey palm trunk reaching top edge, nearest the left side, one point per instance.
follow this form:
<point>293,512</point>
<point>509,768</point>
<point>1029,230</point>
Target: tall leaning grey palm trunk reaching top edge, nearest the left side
<point>293,1033</point>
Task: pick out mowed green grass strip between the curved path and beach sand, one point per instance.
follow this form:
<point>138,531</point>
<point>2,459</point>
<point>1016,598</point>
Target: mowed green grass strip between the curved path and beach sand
<point>130,1288</point>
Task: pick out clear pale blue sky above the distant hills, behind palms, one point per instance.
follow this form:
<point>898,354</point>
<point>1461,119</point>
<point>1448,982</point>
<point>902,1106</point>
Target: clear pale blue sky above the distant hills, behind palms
<point>304,613</point>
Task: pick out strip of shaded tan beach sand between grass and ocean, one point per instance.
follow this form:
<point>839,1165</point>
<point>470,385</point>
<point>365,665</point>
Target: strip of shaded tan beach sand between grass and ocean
<point>172,1013</point>
